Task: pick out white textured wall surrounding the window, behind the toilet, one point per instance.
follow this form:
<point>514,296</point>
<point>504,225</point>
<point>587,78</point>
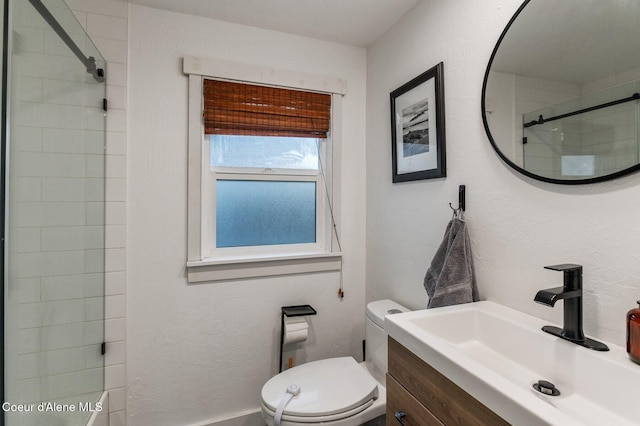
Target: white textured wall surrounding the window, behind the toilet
<point>202,352</point>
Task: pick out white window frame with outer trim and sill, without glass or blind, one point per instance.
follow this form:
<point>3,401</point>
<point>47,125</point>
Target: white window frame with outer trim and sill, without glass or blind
<point>205,263</point>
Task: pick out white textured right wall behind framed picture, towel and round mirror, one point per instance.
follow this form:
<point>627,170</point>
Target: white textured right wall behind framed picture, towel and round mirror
<point>517,225</point>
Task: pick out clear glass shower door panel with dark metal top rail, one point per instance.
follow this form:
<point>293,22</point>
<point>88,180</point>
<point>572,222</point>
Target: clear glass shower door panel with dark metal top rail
<point>53,183</point>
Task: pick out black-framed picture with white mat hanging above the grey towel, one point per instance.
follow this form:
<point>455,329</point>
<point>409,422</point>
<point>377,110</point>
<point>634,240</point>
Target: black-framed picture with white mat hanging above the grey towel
<point>417,128</point>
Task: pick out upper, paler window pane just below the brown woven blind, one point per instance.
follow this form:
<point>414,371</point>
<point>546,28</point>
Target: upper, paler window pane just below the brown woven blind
<point>264,151</point>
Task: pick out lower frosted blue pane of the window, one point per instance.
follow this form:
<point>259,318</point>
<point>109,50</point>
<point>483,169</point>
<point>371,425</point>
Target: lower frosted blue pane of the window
<point>257,213</point>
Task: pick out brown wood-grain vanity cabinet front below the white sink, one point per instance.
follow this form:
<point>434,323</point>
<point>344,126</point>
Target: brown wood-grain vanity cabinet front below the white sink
<point>426,397</point>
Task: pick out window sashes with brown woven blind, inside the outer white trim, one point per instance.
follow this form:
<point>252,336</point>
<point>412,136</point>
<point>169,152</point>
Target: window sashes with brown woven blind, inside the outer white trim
<point>265,191</point>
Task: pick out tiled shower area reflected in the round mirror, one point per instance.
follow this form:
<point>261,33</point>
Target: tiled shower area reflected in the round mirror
<point>604,133</point>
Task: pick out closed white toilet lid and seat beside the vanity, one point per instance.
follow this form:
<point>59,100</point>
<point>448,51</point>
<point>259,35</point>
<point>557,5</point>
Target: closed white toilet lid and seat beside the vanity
<point>328,386</point>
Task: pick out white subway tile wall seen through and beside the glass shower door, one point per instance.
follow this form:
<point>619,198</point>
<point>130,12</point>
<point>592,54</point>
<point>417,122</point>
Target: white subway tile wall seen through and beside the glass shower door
<point>65,234</point>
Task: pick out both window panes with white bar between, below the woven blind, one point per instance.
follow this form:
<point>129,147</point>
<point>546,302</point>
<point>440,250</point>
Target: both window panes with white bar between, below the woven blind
<point>266,190</point>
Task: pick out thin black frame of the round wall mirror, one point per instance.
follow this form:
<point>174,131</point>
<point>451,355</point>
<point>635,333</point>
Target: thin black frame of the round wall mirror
<point>504,157</point>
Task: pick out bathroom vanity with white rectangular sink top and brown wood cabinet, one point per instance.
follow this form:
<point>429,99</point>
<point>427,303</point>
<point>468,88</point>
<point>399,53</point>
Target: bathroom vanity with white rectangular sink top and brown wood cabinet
<point>483,363</point>
